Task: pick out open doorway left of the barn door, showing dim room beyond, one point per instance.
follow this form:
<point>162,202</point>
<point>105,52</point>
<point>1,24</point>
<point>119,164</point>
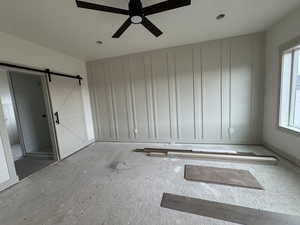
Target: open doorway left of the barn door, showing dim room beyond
<point>28,120</point>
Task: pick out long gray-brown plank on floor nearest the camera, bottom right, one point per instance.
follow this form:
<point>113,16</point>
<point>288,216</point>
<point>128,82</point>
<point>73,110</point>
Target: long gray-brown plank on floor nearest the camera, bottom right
<point>226,212</point>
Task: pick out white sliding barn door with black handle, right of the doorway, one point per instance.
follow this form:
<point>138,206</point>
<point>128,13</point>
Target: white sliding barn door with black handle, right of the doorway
<point>67,105</point>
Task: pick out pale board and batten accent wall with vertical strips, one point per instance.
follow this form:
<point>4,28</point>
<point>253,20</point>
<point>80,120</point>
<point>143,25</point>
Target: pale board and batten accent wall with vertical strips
<point>210,92</point>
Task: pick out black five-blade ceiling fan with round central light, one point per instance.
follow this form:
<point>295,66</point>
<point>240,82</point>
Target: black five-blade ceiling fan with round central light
<point>137,14</point>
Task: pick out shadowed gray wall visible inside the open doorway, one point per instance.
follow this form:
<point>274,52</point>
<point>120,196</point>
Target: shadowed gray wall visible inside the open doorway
<point>30,105</point>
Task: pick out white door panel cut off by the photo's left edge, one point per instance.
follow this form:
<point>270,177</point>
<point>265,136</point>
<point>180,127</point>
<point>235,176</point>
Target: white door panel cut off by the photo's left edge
<point>8,174</point>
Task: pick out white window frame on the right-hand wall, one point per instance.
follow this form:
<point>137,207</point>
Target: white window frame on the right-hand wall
<point>290,46</point>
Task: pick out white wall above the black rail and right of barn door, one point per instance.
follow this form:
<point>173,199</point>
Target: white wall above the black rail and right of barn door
<point>15,50</point>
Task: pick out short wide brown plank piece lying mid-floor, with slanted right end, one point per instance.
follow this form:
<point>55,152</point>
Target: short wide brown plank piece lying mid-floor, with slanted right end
<point>225,176</point>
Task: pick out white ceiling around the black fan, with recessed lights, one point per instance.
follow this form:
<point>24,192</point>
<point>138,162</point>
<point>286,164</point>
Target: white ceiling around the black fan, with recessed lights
<point>60,25</point>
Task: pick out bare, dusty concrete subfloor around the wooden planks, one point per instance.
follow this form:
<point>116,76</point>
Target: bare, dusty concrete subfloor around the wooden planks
<point>107,184</point>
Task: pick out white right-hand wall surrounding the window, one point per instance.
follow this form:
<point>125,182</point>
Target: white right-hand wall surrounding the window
<point>286,30</point>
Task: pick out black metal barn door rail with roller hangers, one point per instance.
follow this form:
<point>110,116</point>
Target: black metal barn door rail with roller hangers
<point>46,71</point>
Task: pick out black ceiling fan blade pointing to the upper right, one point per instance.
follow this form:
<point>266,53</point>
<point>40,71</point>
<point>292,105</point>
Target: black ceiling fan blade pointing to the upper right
<point>165,6</point>
